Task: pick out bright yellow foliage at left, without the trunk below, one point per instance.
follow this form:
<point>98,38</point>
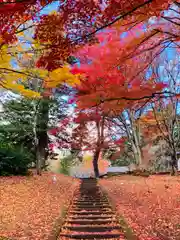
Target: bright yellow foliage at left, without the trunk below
<point>17,68</point>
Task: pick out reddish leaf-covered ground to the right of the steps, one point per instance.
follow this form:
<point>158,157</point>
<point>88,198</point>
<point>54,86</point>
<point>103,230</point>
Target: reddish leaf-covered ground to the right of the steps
<point>151,206</point>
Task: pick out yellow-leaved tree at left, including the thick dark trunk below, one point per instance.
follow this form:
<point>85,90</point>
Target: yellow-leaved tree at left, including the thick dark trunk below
<point>19,74</point>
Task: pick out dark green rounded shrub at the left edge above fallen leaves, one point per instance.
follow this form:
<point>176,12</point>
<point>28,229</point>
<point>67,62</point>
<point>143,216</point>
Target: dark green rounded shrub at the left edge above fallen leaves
<point>14,160</point>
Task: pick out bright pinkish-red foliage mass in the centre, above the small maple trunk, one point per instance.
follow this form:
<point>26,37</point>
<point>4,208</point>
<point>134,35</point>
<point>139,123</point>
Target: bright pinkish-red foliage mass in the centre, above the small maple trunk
<point>105,82</point>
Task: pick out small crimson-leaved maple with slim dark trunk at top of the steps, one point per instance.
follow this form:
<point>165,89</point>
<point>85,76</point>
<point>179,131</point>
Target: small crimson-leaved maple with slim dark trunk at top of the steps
<point>89,132</point>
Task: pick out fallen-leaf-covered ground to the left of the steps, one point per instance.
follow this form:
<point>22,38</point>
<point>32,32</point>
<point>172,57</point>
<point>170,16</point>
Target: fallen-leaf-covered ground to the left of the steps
<point>29,206</point>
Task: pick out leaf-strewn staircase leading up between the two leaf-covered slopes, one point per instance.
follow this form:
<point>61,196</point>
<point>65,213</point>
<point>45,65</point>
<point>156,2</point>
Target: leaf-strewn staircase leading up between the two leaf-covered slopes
<point>91,215</point>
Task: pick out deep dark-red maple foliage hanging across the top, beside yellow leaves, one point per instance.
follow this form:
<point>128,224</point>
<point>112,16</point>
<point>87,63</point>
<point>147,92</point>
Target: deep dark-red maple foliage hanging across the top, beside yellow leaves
<point>77,21</point>
